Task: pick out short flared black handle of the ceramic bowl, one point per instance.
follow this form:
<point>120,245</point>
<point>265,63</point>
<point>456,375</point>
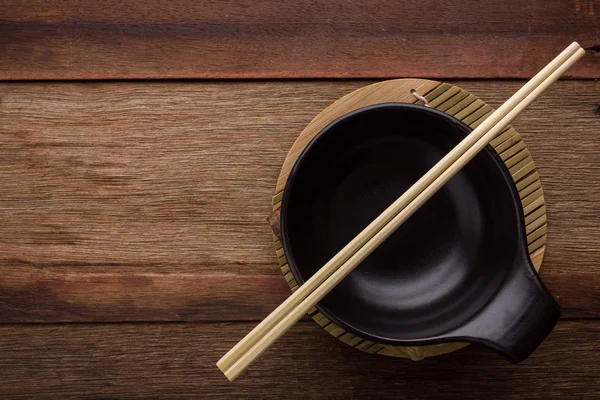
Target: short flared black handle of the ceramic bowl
<point>518,319</point>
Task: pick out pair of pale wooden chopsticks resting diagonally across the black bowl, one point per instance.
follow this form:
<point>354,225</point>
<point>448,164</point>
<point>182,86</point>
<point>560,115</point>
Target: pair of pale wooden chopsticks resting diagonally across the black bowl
<point>324,280</point>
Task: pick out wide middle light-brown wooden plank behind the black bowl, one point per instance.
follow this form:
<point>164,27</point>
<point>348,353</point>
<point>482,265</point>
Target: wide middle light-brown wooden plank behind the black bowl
<point>148,201</point>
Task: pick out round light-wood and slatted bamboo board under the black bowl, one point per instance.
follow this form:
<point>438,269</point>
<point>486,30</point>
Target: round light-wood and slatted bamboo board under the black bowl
<point>460,104</point>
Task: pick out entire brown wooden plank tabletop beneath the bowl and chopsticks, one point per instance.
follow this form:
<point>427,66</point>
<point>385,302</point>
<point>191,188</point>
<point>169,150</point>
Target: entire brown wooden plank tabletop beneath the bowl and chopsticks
<point>140,143</point>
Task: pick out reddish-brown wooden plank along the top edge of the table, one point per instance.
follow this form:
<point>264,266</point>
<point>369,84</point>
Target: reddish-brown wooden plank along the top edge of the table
<point>83,39</point>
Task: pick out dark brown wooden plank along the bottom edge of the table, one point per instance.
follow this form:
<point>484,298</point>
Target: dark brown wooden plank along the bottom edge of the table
<point>177,361</point>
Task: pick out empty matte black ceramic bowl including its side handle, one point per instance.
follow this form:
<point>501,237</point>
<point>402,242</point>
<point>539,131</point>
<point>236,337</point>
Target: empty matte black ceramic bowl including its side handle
<point>457,270</point>
